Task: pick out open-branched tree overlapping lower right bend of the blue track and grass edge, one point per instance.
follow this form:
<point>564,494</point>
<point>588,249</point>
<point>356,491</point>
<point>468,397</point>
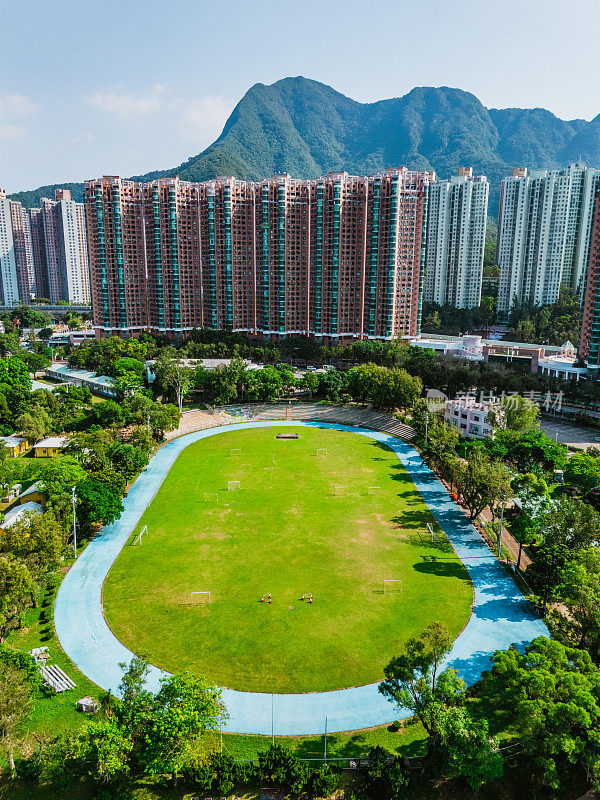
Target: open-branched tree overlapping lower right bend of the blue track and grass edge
<point>412,680</point>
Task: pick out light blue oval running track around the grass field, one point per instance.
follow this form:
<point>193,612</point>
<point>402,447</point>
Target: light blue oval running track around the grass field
<point>501,615</point>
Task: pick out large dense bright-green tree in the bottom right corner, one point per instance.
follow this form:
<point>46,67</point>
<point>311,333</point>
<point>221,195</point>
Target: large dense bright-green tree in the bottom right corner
<point>554,696</point>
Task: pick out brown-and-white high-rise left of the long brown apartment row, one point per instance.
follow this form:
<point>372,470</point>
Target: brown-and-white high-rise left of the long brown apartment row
<point>63,226</point>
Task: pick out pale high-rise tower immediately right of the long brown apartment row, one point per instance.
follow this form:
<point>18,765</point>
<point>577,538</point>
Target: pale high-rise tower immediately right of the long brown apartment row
<point>456,224</point>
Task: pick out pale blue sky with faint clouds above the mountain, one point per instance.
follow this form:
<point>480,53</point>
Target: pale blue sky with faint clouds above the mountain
<point>90,87</point>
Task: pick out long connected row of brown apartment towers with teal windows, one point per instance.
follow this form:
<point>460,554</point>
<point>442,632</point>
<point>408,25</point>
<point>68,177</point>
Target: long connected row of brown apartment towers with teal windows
<point>337,258</point>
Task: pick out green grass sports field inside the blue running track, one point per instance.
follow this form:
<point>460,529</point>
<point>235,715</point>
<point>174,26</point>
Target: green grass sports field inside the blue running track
<point>301,522</point>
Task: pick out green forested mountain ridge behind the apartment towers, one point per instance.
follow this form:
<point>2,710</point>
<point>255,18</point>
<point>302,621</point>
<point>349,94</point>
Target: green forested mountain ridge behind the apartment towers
<point>307,129</point>
